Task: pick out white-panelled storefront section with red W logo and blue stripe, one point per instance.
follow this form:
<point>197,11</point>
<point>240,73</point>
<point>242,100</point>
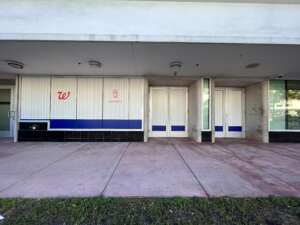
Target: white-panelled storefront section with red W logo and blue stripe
<point>74,108</point>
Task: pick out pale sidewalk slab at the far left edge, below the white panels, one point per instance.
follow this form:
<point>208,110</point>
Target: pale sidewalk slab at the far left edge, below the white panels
<point>18,161</point>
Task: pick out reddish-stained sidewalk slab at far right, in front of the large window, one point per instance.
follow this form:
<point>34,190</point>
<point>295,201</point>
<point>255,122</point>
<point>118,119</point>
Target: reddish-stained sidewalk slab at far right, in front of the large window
<point>267,166</point>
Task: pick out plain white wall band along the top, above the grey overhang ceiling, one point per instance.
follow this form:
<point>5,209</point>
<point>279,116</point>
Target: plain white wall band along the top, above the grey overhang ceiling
<point>157,21</point>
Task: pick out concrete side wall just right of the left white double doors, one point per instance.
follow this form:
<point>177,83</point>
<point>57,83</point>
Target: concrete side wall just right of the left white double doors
<point>195,110</point>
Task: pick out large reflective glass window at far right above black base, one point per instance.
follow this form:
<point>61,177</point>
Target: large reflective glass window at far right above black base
<point>284,103</point>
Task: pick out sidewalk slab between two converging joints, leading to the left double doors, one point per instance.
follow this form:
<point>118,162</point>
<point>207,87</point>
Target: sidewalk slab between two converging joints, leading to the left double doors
<point>152,169</point>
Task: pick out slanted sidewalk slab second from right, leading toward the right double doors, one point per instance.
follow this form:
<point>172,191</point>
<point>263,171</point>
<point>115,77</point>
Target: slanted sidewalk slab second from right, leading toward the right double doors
<point>217,177</point>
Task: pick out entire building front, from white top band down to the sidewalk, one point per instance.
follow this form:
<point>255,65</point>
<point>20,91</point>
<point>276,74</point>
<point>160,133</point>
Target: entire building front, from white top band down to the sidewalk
<point>133,70</point>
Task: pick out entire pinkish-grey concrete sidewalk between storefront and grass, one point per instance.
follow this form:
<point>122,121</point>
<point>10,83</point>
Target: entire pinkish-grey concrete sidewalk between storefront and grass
<point>159,168</point>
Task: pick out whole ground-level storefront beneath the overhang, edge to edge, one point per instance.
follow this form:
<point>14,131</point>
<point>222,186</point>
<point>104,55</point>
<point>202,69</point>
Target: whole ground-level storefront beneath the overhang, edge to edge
<point>77,108</point>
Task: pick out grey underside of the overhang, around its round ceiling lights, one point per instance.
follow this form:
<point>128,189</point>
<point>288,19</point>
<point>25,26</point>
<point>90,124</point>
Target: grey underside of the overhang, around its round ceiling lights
<point>152,60</point>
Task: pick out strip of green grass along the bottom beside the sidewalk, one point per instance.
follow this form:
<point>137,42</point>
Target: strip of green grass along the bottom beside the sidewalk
<point>139,211</point>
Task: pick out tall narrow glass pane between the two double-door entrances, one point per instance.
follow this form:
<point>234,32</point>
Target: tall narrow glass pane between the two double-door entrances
<point>206,104</point>
